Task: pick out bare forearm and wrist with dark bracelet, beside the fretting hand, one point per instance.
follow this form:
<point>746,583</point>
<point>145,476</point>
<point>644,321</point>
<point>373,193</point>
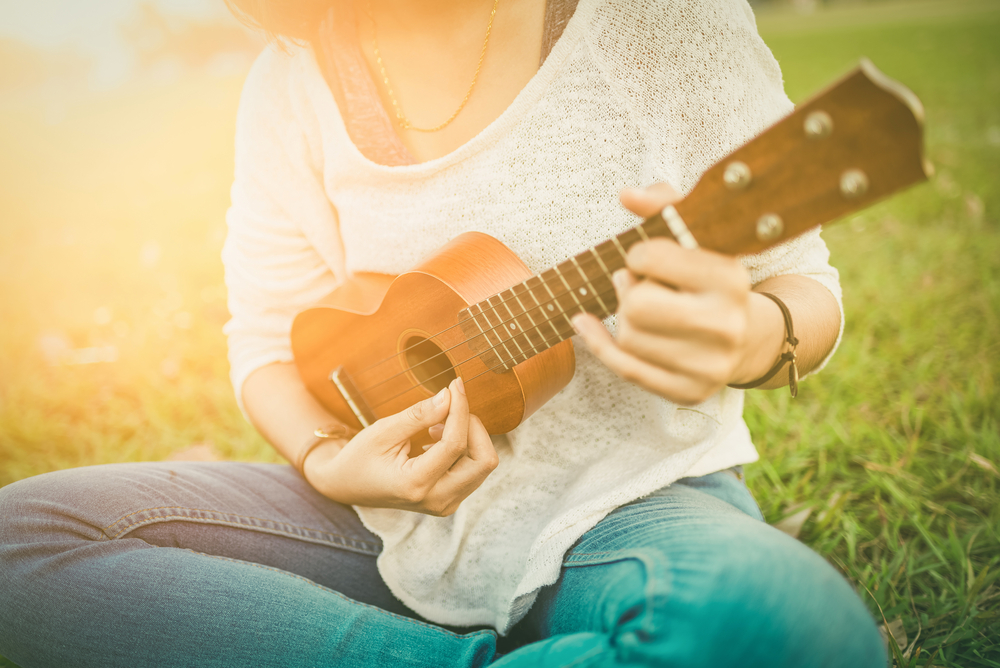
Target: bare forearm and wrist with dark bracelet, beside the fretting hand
<point>816,319</point>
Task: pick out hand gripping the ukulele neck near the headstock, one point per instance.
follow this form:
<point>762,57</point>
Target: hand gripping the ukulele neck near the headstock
<point>684,316</point>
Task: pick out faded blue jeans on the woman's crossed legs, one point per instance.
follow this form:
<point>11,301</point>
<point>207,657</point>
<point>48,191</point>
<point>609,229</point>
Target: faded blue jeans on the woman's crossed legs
<point>229,564</point>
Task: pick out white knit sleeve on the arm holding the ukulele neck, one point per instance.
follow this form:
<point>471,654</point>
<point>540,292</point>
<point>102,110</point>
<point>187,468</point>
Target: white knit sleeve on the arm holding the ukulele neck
<point>699,82</point>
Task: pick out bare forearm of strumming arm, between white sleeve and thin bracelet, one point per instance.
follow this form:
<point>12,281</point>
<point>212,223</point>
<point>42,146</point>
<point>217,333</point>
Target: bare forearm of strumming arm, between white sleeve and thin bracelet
<point>282,409</point>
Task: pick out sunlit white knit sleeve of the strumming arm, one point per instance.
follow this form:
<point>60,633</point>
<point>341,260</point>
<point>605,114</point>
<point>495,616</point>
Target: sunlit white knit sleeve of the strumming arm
<point>282,251</point>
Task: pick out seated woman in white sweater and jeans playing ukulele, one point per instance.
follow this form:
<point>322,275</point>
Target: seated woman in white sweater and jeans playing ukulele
<point>612,527</point>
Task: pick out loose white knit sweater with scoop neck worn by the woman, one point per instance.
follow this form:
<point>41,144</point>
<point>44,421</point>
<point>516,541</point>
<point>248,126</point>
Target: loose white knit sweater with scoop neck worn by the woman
<point>635,92</point>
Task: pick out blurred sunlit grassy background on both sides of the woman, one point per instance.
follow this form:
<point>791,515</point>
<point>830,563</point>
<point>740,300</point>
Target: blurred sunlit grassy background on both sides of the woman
<point>116,142</point>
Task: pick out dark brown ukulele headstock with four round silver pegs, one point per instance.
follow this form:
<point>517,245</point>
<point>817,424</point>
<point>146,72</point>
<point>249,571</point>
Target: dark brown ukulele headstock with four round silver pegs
<point>852,144</point>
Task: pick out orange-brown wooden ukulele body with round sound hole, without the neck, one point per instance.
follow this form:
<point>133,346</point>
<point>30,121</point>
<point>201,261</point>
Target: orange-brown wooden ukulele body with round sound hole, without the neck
<point>397,340</point>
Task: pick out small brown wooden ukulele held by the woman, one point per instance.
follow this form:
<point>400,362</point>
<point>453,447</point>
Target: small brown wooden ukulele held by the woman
<point>379,344</point>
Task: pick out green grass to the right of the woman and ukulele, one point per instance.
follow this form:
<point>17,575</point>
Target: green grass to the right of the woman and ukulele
<point>881,445</point>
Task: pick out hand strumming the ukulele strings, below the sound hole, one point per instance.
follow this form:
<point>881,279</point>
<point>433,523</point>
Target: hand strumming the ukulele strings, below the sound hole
<point>374,468</point>
